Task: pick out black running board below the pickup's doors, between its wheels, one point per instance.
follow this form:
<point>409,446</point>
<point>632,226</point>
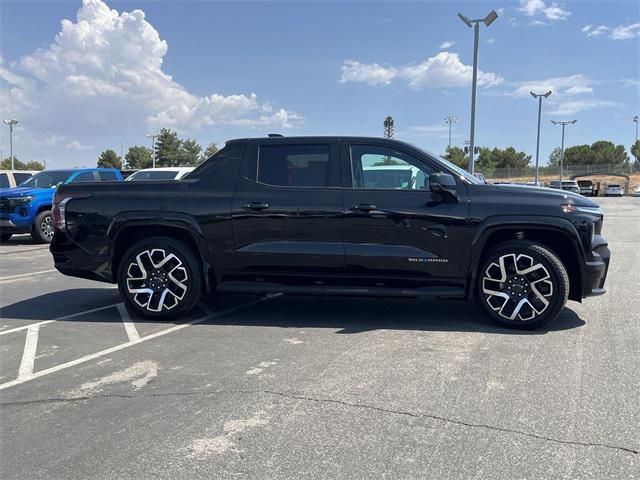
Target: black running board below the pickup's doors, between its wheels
<point>265,287</point>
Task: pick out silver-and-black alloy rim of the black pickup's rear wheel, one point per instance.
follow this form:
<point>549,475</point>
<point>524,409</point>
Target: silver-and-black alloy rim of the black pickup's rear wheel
<point>157,280</point>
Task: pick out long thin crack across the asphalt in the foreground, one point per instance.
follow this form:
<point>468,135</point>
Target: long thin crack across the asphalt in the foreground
<point>325,399</point>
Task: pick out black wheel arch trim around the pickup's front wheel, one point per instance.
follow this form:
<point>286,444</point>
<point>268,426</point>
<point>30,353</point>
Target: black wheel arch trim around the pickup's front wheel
<point>558,235</point>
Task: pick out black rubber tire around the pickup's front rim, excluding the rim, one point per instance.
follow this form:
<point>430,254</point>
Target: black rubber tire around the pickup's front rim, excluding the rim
<point>556,271</point>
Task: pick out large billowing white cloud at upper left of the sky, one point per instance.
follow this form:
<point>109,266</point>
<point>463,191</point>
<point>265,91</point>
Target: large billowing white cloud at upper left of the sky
<point>104,74</point>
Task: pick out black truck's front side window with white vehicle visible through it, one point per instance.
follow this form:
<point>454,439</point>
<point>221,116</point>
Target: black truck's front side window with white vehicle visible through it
<point>383,168</point>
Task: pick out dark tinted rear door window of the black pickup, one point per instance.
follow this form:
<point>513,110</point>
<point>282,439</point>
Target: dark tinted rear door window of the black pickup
<point>295,165</point>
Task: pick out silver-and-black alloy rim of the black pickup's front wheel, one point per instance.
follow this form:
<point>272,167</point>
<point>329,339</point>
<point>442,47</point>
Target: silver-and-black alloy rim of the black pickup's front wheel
<point>517,287</point>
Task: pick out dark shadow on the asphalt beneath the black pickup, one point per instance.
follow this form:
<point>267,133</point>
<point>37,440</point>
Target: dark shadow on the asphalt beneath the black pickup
<point>346,315</point>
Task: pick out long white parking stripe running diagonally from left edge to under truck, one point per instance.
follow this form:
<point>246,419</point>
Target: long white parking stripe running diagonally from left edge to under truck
<point>122,346</point>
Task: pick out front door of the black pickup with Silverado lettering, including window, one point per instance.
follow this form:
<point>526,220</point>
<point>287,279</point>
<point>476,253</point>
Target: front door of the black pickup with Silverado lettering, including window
<point>396,229</point>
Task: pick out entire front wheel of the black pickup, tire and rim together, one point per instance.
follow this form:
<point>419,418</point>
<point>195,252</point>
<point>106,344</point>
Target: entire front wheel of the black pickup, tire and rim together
<point>530,285</point>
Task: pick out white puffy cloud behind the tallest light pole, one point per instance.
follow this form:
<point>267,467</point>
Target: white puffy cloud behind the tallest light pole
<point>443,70</point>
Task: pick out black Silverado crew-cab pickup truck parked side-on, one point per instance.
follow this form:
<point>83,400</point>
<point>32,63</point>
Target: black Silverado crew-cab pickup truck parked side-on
<point>333,215</point>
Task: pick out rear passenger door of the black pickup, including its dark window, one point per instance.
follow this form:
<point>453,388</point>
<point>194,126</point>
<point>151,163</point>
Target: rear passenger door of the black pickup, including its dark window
<point>288,211</point>
